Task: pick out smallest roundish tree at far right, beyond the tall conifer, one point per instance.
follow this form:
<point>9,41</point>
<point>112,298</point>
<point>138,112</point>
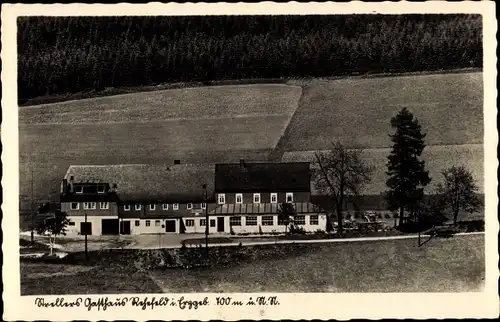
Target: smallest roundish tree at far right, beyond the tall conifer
<point>459,191</point>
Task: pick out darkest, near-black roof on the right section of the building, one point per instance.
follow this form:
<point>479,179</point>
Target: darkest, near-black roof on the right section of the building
<point>262,177</point>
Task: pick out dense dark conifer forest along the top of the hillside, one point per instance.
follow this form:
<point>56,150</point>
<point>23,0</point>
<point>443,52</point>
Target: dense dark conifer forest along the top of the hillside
<point>74,54</point>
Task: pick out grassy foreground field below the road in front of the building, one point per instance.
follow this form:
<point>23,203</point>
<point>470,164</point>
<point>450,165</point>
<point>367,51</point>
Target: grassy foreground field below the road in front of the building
<point>441,265</point>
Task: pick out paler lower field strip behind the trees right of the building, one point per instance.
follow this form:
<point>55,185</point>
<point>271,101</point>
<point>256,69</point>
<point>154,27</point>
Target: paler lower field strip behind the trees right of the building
<point>437,157</point>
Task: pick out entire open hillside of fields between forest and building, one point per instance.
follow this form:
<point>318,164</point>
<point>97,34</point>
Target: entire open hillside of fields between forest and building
<point>227,123</point>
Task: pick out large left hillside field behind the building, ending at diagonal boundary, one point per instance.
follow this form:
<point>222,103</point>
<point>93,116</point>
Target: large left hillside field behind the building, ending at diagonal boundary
<point>220,123</point>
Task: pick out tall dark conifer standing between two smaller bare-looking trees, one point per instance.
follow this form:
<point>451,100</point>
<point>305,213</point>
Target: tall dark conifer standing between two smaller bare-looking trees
<point>407,174</point>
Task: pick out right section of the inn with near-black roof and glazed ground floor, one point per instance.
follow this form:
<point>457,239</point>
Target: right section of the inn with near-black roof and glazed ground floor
<point>249,196</point>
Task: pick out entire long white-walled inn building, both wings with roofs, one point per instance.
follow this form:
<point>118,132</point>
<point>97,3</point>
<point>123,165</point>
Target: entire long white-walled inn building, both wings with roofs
<point>140,198</point>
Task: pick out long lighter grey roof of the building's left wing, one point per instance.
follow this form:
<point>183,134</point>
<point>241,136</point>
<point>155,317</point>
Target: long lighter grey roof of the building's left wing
<point>145,182</point>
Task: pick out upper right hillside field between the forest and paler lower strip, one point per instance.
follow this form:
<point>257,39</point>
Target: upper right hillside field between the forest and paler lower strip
<point>358,111</point>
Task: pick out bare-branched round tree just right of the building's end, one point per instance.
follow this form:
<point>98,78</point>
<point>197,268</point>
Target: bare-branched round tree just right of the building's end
<point>340,173</point>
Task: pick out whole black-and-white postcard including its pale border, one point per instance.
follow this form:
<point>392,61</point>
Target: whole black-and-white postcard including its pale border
<point>271,153</point>
